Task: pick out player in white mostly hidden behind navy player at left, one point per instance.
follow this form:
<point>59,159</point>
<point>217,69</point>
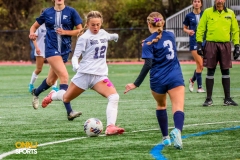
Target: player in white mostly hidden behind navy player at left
<point>39,53</point>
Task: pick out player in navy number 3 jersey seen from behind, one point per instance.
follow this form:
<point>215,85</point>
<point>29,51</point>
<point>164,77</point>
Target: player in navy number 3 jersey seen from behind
<point>159,52</point>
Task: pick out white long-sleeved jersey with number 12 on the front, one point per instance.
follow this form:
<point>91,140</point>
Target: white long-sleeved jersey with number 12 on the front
<point>93,48</point>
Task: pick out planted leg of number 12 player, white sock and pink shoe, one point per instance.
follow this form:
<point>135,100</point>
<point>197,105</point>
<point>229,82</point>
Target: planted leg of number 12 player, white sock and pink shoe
<point>107,89</point>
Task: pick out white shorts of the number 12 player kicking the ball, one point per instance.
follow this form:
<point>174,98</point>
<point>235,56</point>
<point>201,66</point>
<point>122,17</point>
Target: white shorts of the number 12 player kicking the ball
<point>86,81</point>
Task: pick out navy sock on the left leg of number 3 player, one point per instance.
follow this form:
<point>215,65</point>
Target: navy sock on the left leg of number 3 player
<point>162,121</point>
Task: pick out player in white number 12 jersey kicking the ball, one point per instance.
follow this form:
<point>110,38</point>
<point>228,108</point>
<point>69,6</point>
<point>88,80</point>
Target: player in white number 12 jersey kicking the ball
<point>92,70</point>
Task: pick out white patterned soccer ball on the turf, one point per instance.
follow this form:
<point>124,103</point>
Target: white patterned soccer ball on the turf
<point>93,127</point>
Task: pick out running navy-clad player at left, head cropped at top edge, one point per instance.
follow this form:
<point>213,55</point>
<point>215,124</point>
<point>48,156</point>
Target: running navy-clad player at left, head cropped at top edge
<point>59,21</point>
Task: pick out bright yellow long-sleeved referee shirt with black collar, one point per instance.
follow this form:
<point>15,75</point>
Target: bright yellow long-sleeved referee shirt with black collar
<point>219,26</point>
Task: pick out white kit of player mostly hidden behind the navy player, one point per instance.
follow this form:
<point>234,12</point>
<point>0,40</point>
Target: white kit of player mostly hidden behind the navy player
<point>41,33</point>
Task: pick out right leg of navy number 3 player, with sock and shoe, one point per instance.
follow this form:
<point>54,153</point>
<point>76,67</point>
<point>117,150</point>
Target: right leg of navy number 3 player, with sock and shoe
<point>177,99</point>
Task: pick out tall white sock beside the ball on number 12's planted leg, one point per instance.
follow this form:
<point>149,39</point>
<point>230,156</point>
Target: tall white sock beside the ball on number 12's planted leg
<point>112,109</point>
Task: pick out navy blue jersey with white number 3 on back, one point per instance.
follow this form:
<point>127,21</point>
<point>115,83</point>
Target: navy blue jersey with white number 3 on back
<point>165,67</point>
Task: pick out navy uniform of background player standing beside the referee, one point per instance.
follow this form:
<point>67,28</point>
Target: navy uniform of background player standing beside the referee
<point>192,22</point>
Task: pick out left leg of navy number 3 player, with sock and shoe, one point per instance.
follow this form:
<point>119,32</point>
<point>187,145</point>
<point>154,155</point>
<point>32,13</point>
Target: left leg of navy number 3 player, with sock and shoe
<point>161,113</point>
